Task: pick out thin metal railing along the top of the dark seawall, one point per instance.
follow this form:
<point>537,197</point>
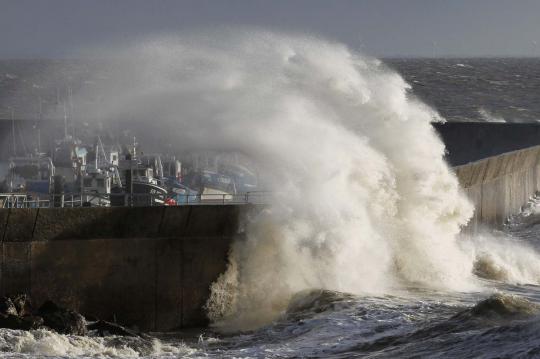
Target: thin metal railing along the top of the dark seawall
<point>21,200</point>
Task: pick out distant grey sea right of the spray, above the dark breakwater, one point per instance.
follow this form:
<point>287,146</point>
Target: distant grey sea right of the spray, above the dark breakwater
<point>476,89</point>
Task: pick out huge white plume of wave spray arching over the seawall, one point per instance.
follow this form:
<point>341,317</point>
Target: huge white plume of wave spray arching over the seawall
<point>363,199</point>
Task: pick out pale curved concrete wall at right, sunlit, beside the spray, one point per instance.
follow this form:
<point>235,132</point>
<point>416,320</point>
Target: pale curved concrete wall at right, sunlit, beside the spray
<point>499,186</point>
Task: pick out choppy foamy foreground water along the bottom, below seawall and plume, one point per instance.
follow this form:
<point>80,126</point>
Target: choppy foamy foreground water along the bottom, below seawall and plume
<point>326,324</point>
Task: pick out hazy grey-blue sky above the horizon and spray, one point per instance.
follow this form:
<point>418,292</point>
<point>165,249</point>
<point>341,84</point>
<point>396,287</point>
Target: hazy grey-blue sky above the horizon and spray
<point>384,28</point>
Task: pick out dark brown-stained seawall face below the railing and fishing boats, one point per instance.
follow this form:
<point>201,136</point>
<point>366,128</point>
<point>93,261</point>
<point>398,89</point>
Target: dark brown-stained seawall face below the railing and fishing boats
<point>149,267</point>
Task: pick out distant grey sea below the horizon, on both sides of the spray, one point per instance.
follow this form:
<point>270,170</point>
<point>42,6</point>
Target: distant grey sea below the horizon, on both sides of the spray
<point>460,89</point>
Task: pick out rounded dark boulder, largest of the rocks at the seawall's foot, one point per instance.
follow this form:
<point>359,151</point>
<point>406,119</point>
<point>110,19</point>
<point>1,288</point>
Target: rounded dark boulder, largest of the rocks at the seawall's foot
<point>62,320</point>
